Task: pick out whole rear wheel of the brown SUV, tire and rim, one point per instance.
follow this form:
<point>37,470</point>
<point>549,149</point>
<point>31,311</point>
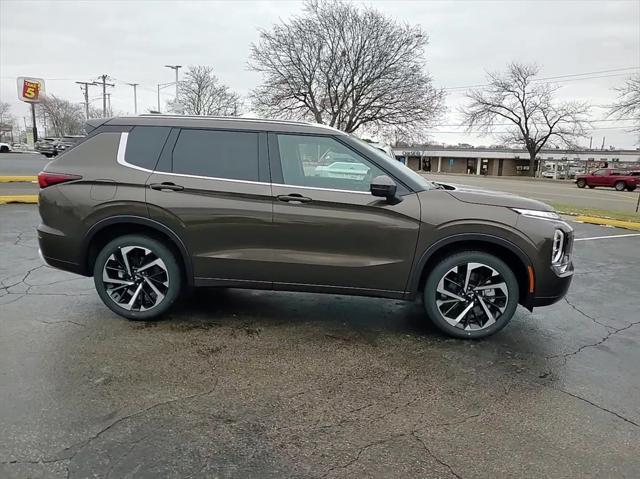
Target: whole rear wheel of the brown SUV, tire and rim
<point>137,277</point>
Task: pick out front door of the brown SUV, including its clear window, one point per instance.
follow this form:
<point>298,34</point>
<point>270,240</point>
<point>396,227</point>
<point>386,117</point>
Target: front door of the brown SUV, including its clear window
<point>329,231</point>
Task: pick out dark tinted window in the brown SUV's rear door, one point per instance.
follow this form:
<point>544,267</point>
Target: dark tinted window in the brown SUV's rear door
<point>217,154</point>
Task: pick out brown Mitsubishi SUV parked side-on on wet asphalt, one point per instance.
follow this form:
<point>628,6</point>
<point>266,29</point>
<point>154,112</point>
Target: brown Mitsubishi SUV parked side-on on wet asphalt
<point>152,205</point>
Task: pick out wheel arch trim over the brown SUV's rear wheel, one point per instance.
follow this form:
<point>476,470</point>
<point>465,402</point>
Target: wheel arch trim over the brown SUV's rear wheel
<point>109,228</point>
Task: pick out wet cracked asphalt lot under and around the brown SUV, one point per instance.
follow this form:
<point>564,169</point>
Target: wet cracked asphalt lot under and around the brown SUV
<point>254,384</point>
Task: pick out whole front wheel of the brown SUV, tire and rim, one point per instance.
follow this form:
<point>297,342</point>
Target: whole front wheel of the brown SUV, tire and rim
<point>471,294</point>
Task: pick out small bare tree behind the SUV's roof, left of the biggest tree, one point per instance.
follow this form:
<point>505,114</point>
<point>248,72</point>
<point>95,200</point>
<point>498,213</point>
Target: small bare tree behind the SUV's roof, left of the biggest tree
<point>201,93</point>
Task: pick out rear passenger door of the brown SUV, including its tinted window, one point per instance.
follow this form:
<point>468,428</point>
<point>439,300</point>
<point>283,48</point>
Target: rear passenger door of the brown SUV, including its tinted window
<point>213,187</point>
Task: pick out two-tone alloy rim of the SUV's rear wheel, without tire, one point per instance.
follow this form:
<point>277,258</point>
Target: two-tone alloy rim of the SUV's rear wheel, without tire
<point>135,278</point>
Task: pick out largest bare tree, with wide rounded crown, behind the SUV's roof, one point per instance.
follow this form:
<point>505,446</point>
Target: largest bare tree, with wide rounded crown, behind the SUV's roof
<point>347,67</point>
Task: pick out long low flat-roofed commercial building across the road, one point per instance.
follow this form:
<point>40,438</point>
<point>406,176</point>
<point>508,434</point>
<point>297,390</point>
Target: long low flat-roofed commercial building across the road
<point>508,162</point>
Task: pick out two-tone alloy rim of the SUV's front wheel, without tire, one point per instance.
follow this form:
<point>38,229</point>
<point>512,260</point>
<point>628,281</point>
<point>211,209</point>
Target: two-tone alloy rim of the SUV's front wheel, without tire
<point>472,296</point>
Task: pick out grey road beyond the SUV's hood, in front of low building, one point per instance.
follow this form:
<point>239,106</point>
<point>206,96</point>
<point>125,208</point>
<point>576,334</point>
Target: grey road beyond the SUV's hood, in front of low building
<point>549,191</point>
